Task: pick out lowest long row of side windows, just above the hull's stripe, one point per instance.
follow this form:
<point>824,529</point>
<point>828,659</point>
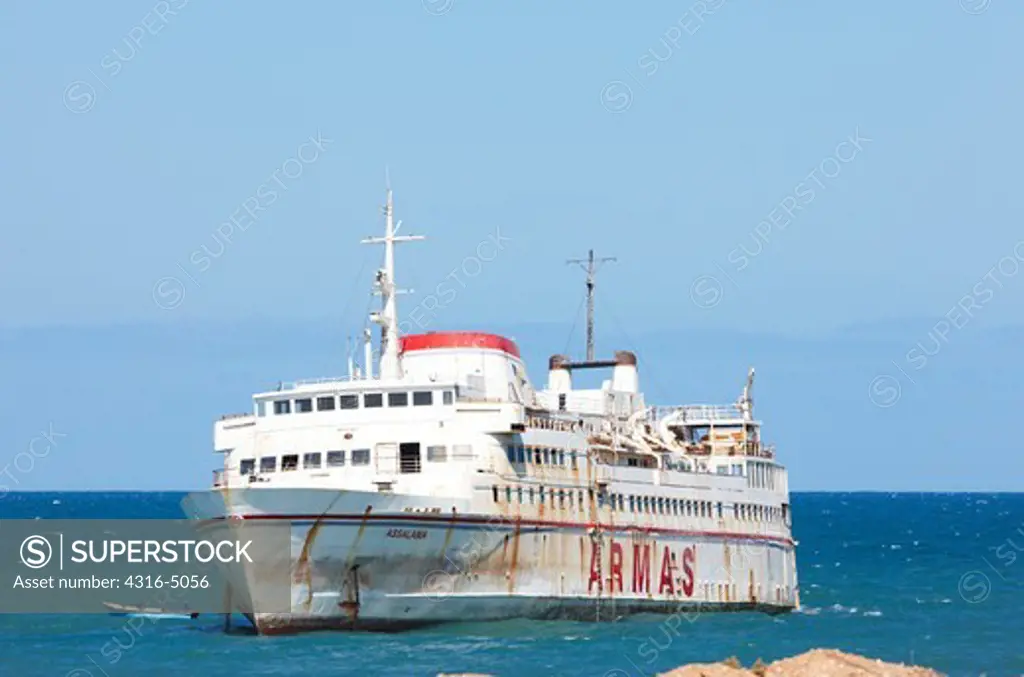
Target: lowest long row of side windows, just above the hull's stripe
<point>568,498</point>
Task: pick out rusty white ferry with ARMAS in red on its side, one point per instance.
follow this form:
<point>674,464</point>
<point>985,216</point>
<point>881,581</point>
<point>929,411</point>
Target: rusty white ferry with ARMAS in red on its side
<point>435,483</point>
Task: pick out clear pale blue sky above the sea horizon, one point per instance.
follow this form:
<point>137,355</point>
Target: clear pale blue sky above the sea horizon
<point>827,191</point>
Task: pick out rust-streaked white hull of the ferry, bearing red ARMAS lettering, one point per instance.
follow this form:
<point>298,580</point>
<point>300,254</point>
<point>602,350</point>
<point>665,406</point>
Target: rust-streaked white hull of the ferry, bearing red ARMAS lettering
<point>374,562</point>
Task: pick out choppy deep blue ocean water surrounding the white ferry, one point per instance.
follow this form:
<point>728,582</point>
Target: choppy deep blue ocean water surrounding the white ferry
<point>934,579</point>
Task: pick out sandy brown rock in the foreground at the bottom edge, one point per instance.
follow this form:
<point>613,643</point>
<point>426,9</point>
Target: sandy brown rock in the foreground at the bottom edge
<point>820,663</point>
